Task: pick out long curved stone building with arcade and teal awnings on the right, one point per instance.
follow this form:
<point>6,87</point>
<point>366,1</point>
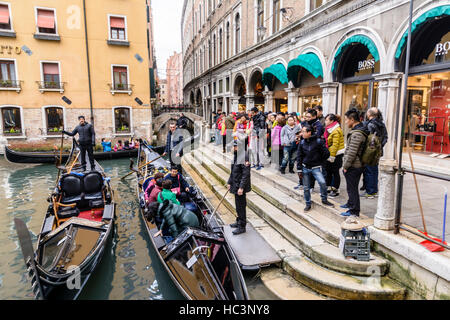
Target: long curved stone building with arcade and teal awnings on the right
<point>285,55</point>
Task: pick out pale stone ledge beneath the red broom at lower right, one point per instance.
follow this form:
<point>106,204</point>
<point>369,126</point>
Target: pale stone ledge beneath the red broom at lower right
<point>432,261</point>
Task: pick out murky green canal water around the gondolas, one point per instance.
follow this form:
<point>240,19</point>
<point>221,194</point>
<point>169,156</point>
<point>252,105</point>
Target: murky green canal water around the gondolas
<point>130,269</point>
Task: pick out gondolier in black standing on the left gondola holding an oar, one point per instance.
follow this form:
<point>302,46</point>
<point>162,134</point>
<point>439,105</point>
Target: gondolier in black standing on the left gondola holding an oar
<point>86,141</point>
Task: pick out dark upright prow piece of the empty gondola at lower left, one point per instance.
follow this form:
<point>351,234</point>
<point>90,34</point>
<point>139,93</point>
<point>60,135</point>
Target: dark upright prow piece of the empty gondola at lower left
<point>28,256</point>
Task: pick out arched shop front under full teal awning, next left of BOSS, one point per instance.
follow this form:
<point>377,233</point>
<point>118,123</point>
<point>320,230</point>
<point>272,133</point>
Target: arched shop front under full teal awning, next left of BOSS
<point>306,73</point>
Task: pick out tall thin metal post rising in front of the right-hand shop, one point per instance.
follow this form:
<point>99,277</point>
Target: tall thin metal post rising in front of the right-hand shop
<point>400,172</point>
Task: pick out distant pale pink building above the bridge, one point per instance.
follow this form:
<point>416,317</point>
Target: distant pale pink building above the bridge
<point>175,79</point>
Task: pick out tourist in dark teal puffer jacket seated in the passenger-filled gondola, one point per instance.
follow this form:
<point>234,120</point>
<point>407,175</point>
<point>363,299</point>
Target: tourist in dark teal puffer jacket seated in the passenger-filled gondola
<point>173,217</point>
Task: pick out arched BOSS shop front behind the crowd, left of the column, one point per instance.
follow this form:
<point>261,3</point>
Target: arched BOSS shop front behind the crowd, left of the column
<point>355,64</point>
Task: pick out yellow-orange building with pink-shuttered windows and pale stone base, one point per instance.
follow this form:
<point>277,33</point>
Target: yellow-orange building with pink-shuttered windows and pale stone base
<point>61,59</point>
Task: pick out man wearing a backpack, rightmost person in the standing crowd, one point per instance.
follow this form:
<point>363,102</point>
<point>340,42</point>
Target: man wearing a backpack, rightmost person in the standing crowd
<point>377,139</point>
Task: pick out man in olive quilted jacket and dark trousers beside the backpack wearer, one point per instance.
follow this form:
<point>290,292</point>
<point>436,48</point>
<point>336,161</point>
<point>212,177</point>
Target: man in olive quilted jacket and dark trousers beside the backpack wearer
<point>353,164</point>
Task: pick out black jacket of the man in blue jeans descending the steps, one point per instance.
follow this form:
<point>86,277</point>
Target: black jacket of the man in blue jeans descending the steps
<point>311,152</point>
